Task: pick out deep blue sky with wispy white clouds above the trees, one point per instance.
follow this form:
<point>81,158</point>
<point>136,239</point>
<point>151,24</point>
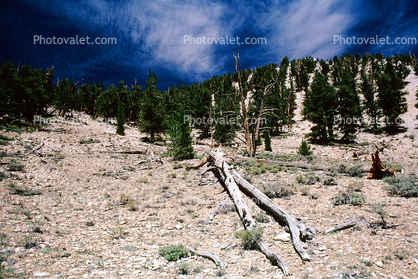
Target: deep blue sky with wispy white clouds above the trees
<point>151,34</point>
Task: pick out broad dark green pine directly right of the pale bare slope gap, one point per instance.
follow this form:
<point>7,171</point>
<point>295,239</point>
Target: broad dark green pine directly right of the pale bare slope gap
<point>320,106</point>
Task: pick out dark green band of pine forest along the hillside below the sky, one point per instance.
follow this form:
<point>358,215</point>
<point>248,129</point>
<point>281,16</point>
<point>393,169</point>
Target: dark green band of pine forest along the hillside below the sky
<point>344,93</point>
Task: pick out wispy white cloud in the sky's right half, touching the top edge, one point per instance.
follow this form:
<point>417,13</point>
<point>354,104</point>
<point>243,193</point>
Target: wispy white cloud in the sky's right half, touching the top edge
<point>307,27</point>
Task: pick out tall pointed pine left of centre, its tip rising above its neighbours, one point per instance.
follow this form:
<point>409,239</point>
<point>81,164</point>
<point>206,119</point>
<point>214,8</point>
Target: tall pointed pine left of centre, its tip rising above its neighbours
<point>152,120</point>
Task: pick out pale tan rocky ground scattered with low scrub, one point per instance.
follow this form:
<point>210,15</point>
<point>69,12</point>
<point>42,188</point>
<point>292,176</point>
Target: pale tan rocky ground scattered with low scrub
<point>88,210</point>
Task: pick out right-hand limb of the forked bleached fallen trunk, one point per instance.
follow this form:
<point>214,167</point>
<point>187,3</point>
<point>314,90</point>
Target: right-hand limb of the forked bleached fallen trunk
<point>297,229</point>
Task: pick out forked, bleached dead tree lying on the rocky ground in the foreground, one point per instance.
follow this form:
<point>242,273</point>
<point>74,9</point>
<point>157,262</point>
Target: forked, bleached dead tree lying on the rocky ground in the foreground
<point>233,185</point>
